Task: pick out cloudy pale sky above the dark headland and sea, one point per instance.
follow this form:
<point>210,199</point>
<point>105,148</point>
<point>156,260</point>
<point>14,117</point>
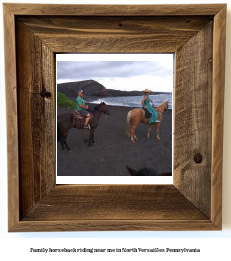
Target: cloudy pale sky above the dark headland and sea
<point>122,75</point>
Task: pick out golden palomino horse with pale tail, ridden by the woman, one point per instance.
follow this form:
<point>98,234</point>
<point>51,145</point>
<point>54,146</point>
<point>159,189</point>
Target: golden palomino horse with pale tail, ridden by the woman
<point>137,115</point>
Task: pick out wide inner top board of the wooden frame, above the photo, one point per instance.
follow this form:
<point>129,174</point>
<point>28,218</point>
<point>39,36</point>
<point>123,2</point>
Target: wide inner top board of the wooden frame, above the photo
<point>115,34</point>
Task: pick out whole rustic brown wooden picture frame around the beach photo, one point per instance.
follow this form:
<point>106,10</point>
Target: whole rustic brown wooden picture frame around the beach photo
<point>33,34</point>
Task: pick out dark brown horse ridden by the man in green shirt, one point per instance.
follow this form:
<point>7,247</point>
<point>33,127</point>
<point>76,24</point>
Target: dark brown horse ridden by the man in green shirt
<point>66,121</point>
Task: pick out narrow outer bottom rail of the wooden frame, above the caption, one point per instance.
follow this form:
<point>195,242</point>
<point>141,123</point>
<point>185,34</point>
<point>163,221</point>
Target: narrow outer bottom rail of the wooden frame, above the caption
<point>114,225</point>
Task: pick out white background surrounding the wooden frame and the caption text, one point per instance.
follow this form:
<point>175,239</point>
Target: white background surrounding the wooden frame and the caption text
<point>213,245</point>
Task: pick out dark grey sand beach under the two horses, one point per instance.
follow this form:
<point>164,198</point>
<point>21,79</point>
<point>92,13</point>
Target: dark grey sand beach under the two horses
<point>113,149</point>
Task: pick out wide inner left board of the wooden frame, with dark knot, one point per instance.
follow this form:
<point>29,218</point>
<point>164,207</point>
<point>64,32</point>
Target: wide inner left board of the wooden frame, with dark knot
<point>36,92</point>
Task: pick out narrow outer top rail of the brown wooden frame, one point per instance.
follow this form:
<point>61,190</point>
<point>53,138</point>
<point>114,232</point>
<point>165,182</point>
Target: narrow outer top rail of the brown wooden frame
<point>114,10</point>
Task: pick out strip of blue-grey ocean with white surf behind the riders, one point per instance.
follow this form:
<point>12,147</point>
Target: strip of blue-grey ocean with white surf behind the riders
<point>135,101</point>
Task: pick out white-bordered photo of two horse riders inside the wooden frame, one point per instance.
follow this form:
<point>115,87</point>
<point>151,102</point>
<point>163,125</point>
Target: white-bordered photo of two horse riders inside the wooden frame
<point>114,118</point>
